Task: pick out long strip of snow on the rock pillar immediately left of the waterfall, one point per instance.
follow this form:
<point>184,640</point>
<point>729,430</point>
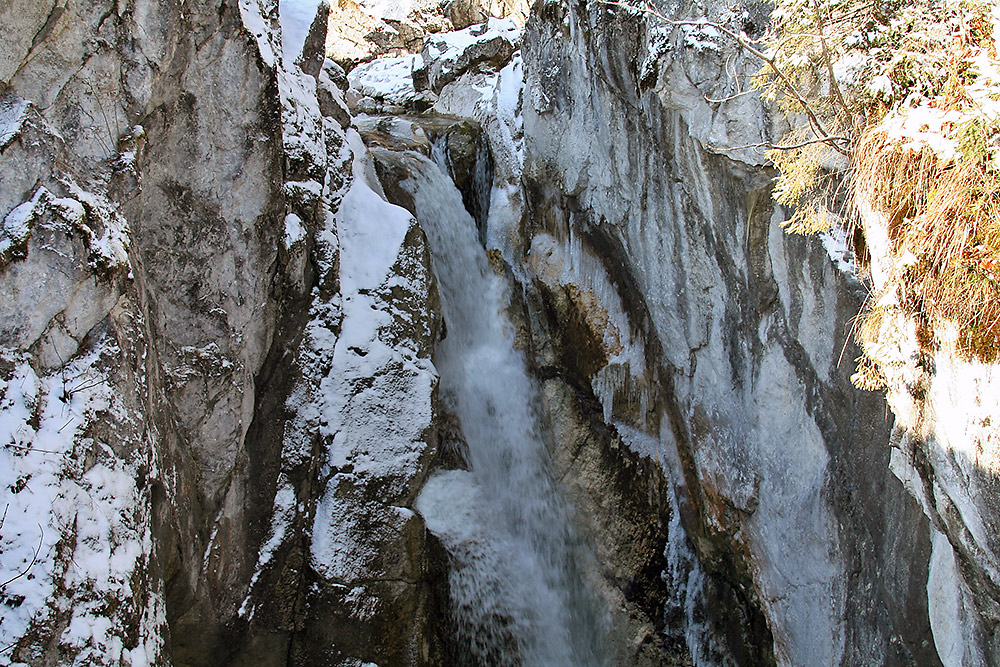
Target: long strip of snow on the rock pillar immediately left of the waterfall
<point>375,442</point>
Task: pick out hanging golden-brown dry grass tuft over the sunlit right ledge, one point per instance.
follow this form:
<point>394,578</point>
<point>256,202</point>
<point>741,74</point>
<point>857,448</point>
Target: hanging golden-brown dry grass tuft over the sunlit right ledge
<point>944,229</point>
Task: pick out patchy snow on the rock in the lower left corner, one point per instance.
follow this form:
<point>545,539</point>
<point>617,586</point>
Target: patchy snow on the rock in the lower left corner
<point>74,539</point>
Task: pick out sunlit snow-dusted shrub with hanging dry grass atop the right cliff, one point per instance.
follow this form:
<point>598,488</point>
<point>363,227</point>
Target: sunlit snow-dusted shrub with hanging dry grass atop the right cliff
<point>914,87</point>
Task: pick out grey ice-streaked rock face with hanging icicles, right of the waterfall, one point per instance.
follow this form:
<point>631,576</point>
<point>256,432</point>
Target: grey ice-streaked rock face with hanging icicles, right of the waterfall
<point>713,342</point>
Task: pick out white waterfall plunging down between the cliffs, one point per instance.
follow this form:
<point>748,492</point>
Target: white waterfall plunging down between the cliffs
<point>517,596</point>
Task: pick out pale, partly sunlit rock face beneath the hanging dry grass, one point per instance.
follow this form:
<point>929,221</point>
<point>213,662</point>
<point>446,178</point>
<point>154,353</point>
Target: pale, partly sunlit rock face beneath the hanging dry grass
<point>944,449</point>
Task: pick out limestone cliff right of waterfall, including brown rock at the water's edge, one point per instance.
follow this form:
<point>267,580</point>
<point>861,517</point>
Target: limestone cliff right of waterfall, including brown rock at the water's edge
<point>688,350</point>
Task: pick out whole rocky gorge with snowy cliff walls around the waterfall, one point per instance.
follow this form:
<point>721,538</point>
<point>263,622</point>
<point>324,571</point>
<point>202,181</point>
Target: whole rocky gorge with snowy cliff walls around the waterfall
<point>453,333</point>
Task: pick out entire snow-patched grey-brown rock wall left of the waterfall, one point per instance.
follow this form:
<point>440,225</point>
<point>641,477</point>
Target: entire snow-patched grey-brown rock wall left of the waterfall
<point>204,339</point>
